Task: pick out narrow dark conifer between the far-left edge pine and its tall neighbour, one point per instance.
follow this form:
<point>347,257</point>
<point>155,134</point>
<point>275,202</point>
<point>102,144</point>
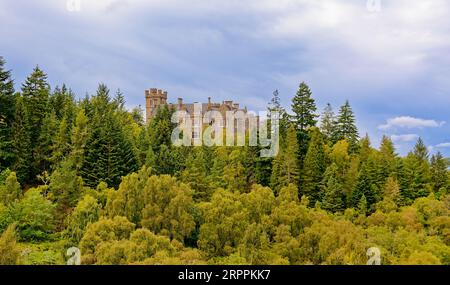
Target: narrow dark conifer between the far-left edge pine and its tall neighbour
<point>21,142</point>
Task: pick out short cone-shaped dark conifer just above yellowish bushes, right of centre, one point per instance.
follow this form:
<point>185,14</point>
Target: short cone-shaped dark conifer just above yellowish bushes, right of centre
<point>333,198</point>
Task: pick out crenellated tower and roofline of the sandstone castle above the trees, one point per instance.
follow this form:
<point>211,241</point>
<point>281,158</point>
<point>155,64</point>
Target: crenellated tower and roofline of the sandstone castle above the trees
<point>156,98</point>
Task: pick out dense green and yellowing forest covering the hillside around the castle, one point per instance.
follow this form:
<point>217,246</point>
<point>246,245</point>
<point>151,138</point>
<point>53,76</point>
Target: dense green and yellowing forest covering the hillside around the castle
<point>87,172</point>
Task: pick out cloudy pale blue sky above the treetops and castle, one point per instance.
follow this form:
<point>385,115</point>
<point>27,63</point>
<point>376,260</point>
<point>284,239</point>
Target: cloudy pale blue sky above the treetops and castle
<point>390,59</point>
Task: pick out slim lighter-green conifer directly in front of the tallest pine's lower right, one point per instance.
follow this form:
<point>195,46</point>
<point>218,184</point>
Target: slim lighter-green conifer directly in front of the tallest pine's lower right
<point>313,167</point>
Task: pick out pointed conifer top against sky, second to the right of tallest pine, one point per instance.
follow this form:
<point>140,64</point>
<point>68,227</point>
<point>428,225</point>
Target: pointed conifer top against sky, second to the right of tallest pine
<point>346,127</point>
